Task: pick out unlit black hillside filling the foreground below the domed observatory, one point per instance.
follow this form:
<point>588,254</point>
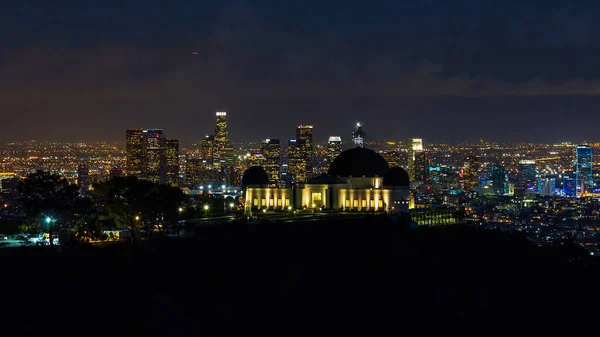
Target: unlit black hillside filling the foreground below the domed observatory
<point>363,277</point>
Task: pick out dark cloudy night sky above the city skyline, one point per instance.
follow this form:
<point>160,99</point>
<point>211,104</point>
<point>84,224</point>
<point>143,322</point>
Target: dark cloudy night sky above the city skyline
<point>442,70</point>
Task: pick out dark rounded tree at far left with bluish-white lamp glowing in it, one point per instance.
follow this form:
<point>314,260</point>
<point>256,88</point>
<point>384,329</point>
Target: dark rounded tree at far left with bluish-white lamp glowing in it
<point>48,200</point>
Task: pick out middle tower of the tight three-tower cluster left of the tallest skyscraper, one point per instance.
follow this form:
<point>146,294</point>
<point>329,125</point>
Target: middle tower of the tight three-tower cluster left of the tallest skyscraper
<point>155,156</point>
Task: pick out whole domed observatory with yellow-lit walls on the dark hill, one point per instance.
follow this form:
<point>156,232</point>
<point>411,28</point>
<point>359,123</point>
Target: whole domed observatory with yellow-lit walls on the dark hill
<point>358,180</point>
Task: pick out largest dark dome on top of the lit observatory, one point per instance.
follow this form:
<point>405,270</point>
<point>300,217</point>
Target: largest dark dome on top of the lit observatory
<point>358,162</point>
